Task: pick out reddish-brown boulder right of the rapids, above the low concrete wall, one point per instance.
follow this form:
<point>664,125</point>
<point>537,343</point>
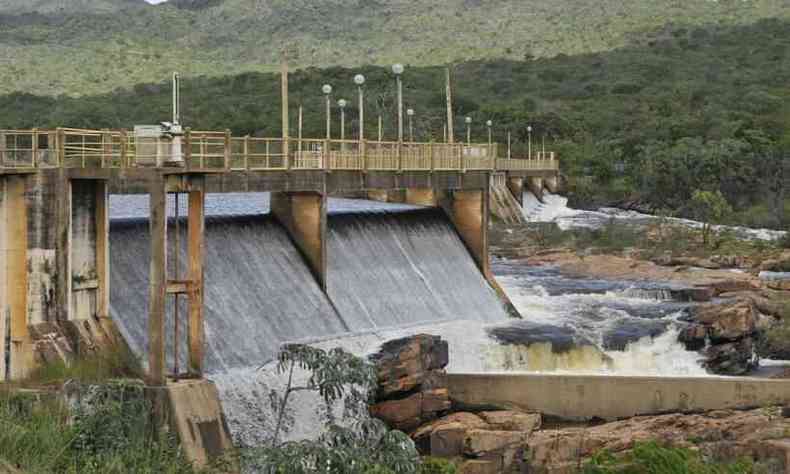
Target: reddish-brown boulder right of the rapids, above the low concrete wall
<point>728,321</point>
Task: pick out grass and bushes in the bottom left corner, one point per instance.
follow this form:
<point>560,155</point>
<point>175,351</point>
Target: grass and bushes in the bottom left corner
<point>111,434</point>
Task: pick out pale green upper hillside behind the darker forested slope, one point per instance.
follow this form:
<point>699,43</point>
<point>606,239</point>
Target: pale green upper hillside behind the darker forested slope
<point>80,47</point>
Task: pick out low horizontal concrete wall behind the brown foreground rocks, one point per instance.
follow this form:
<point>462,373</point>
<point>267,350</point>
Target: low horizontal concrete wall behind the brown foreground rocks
<point>581,397</point>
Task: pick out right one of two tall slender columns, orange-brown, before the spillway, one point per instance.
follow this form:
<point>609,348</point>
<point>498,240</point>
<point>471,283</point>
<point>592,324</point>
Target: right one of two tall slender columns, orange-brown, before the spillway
<point>196,249</point>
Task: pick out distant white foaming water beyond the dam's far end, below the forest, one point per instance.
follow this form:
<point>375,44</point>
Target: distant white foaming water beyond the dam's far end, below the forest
<point>554,208</point>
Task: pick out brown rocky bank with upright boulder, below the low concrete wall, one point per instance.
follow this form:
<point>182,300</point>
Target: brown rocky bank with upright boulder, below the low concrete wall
<point>411,370</point>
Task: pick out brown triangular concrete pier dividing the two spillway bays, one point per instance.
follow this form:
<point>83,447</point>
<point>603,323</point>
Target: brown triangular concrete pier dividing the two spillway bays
<point>303,215</point>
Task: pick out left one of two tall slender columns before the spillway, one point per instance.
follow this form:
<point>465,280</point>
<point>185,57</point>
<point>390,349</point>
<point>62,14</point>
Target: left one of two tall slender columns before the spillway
<point>157,282</point>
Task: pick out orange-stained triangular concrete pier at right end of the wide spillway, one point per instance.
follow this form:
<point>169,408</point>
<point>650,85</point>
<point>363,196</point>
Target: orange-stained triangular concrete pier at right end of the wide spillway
<point>468,211</point>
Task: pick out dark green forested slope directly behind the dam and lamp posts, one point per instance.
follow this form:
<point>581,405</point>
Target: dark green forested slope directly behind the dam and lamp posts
<point>701,108</point>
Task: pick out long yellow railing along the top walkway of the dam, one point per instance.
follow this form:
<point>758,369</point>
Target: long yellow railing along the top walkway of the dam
<point>219,151</point>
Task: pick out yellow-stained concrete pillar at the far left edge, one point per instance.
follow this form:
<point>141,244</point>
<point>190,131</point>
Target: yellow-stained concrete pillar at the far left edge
<point>15,336</point>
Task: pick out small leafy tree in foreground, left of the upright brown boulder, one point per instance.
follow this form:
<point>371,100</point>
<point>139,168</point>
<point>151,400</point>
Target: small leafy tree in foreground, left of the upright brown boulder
<point>354,443</point>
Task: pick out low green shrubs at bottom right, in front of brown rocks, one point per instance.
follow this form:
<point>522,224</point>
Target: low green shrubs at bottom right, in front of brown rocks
<point>654,458</point>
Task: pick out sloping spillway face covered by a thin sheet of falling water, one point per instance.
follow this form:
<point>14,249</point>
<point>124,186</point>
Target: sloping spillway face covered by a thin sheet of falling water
<point>388,266</point>
